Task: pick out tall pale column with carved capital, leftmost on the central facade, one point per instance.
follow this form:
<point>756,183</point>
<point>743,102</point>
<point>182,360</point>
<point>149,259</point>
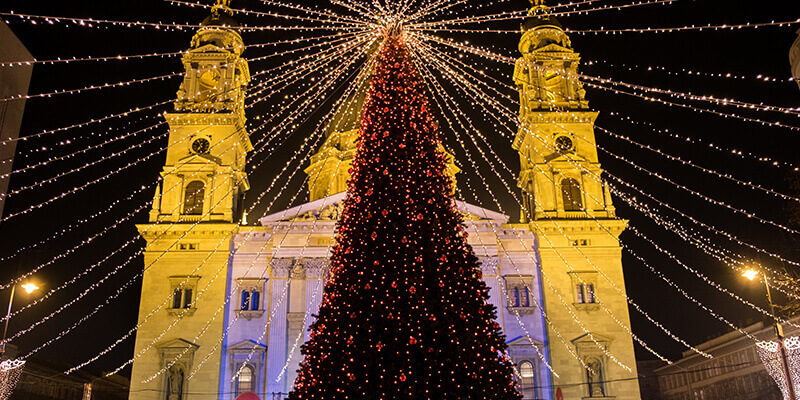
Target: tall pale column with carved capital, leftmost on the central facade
<point>276,345</point>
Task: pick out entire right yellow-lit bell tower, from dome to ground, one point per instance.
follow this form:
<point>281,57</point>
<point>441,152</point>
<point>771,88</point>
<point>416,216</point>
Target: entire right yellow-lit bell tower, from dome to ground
<point>569,208</point>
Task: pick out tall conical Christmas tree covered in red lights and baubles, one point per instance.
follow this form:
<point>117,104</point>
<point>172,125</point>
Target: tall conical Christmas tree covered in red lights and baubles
<point>404,315</point>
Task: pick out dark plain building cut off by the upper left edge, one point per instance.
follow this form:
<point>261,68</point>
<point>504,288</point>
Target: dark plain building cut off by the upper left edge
<point>14,81</point>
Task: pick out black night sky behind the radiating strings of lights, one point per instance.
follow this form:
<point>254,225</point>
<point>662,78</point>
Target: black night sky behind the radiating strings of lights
<point>622,57</point>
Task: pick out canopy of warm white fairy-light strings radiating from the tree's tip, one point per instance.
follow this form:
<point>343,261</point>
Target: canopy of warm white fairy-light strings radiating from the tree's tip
<point>303,103</point>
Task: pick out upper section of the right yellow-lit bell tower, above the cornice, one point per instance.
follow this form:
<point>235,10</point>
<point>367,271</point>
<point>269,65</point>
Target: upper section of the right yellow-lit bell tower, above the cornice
<point>556,140</point>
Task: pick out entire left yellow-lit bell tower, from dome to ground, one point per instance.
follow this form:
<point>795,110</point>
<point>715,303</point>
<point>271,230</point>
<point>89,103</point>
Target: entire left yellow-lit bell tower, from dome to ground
<point>195,214</point>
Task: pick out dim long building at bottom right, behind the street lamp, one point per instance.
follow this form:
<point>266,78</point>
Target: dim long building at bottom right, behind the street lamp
<point>735,372</point>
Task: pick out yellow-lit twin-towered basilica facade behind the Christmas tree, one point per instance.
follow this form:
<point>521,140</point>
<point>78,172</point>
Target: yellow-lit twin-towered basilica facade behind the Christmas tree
<point>226,305</point>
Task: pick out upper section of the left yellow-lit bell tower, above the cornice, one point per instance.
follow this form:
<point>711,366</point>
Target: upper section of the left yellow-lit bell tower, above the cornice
<point>204,178</point>
